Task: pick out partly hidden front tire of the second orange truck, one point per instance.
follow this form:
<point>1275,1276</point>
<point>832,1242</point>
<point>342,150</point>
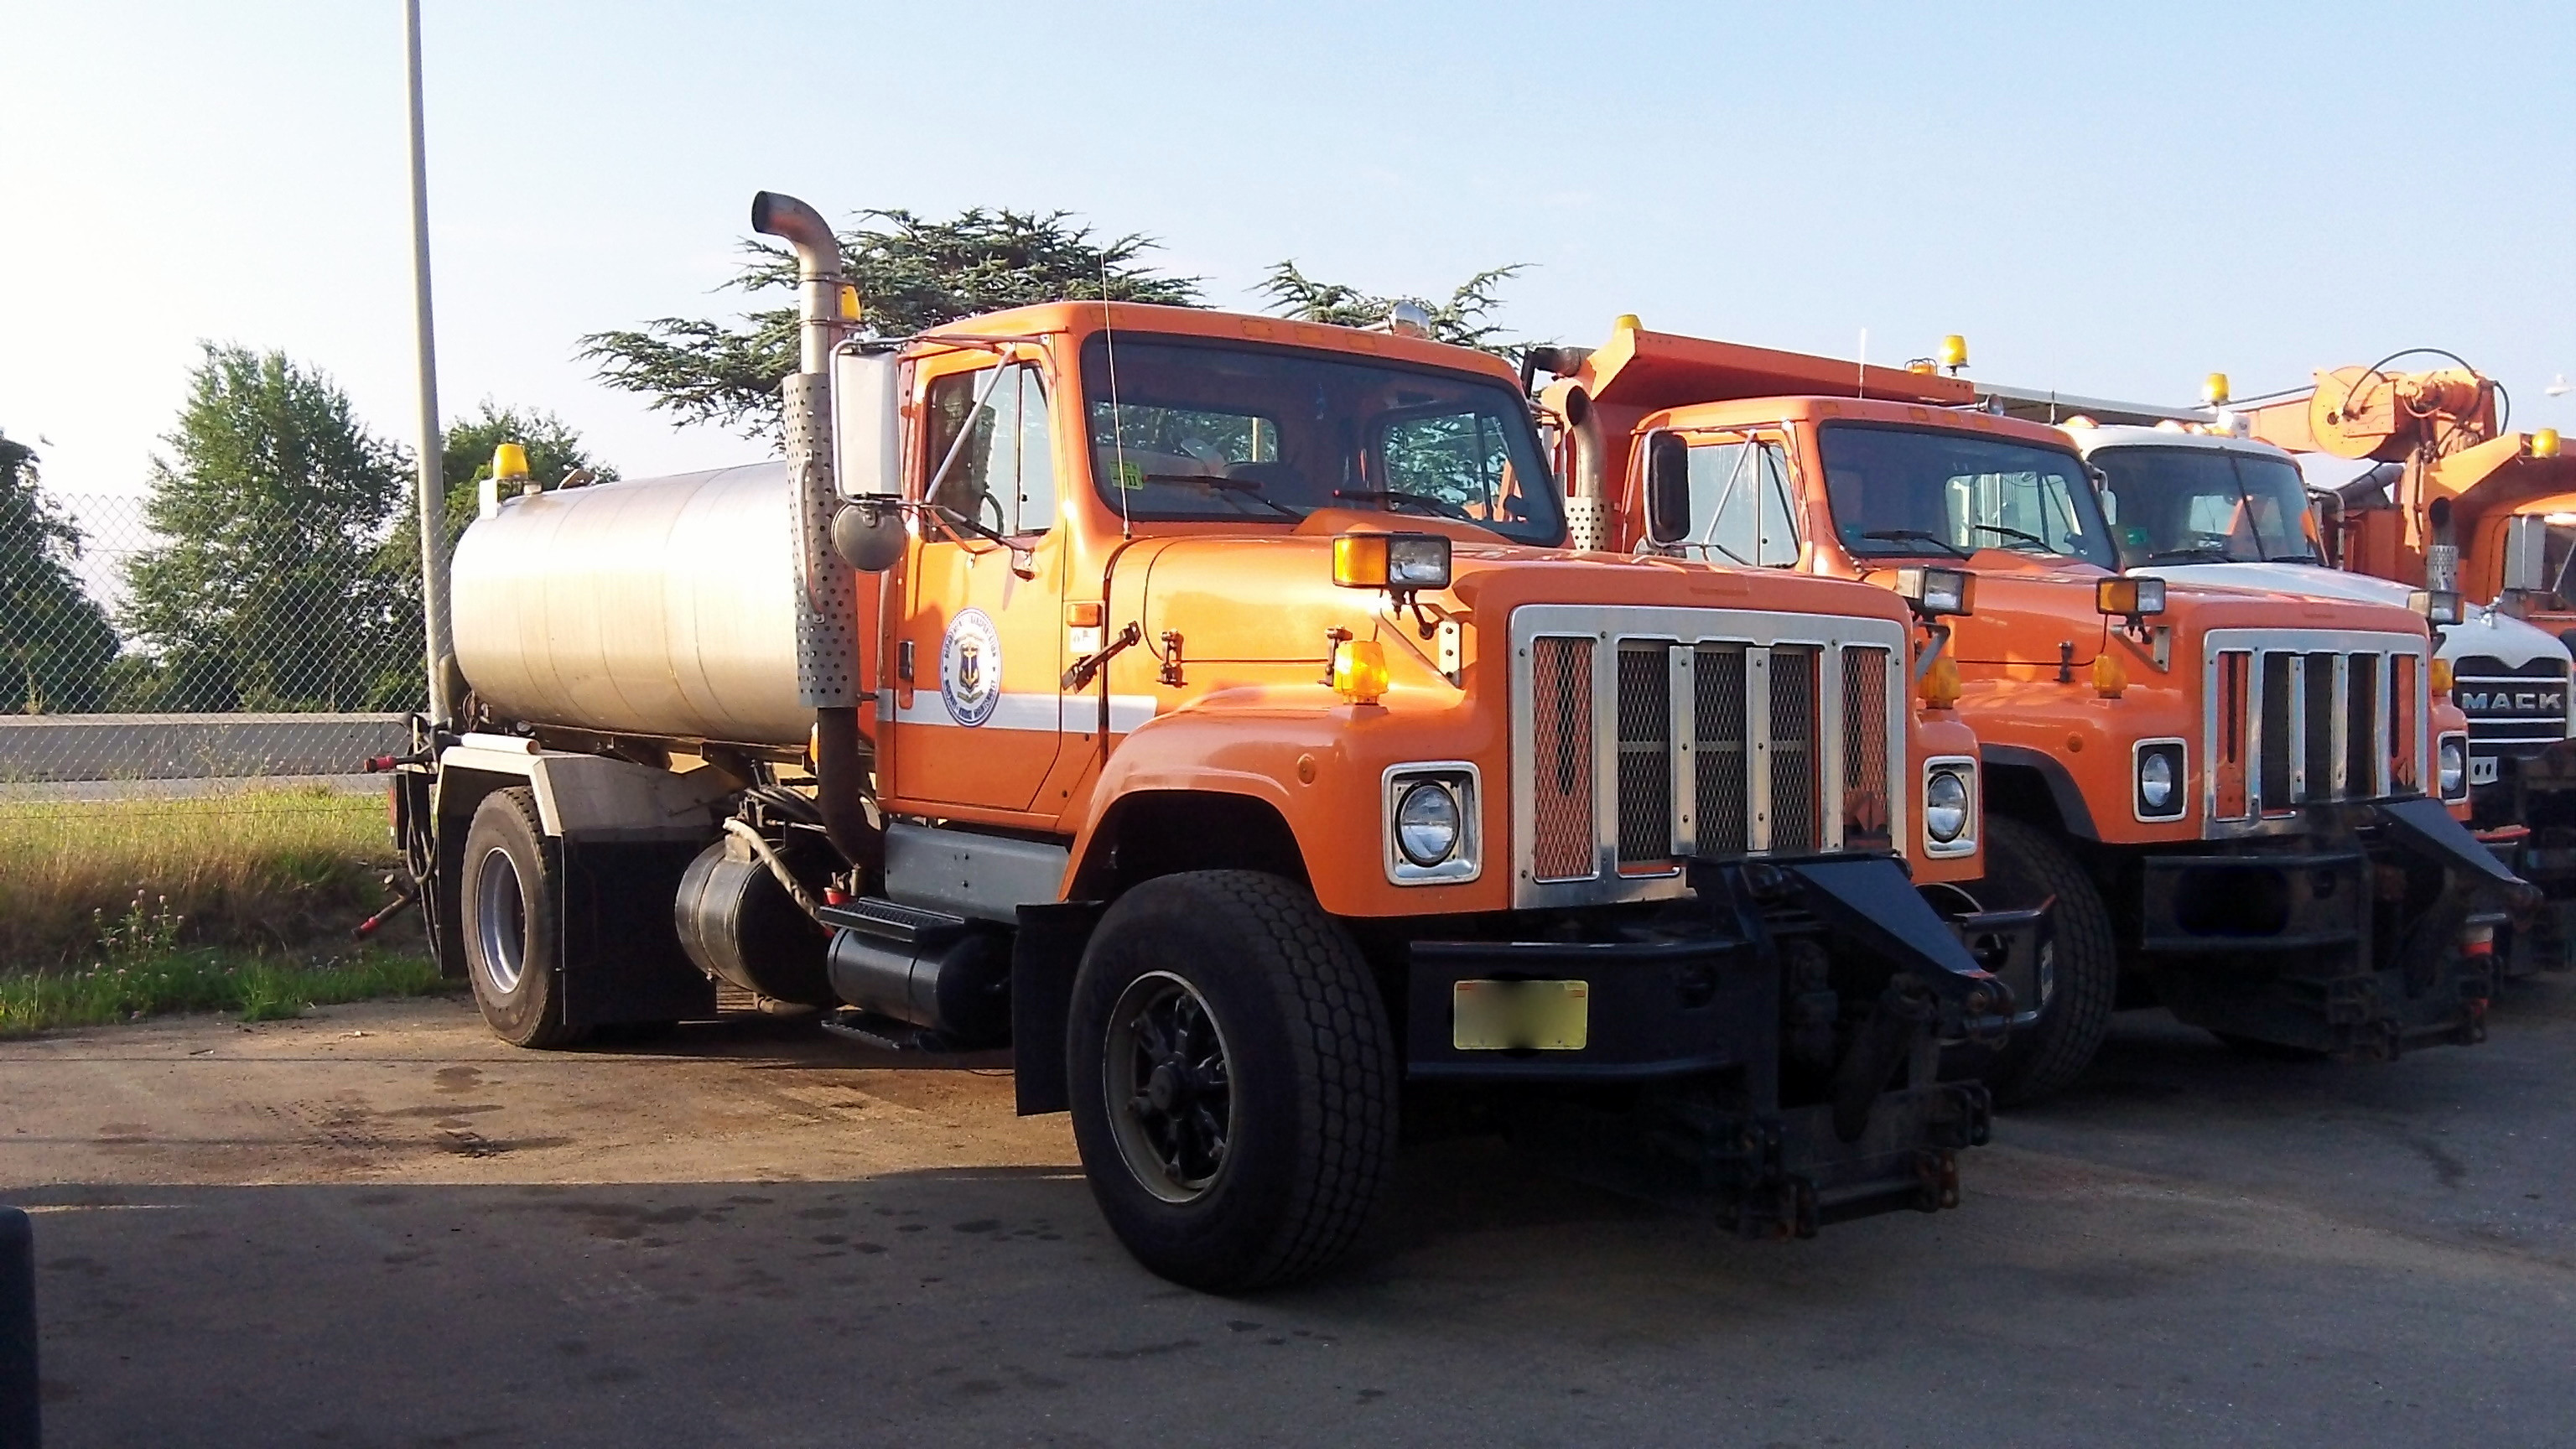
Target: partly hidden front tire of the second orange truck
<point>2026,868</point>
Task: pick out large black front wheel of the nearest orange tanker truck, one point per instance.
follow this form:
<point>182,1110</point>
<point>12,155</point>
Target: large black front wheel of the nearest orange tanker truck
<point>1233,1079</point>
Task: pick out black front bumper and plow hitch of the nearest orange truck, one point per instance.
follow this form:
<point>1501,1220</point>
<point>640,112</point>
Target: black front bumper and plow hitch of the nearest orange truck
<point>1694,1012</point>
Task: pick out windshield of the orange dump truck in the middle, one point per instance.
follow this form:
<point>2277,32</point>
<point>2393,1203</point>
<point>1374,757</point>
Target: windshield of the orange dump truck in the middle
<point>1933,491</point>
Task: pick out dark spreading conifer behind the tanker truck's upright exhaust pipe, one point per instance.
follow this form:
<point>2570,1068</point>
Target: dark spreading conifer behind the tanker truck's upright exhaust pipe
<point>911,275</point>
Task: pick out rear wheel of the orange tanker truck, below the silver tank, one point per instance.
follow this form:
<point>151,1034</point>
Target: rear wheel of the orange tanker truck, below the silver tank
<point>514,937</point>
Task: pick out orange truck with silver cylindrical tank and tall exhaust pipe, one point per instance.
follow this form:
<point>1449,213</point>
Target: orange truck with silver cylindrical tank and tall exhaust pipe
<point>1207,710</point>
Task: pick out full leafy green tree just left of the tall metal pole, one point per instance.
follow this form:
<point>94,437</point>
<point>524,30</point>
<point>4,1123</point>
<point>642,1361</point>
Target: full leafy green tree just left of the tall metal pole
<point>274,509</point>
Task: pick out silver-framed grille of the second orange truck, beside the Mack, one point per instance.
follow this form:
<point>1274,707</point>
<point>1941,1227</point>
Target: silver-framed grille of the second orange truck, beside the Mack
<point>2307,718</point>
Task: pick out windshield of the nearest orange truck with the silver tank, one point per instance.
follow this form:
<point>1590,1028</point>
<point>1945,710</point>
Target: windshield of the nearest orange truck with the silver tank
<point>1194,432</point>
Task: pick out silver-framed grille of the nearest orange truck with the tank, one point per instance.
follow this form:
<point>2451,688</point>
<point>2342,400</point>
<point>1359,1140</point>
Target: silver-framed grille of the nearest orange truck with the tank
<point>1645,739</point>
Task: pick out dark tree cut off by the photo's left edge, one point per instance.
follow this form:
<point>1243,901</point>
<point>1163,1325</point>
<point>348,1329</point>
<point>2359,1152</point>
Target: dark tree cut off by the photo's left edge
<point>55,641</point>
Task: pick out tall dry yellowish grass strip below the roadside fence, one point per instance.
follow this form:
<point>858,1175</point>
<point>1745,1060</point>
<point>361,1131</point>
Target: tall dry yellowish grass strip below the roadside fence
<point>261,870</point>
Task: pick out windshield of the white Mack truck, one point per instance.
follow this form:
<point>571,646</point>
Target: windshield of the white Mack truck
<point>2206,507</point>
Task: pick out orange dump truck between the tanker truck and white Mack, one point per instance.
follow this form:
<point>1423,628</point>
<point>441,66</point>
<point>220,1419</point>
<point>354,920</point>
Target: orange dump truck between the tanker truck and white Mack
<point>2222,790</point>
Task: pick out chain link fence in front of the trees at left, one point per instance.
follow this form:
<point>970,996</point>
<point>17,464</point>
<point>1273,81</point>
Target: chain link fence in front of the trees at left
<point>249,659</point>
